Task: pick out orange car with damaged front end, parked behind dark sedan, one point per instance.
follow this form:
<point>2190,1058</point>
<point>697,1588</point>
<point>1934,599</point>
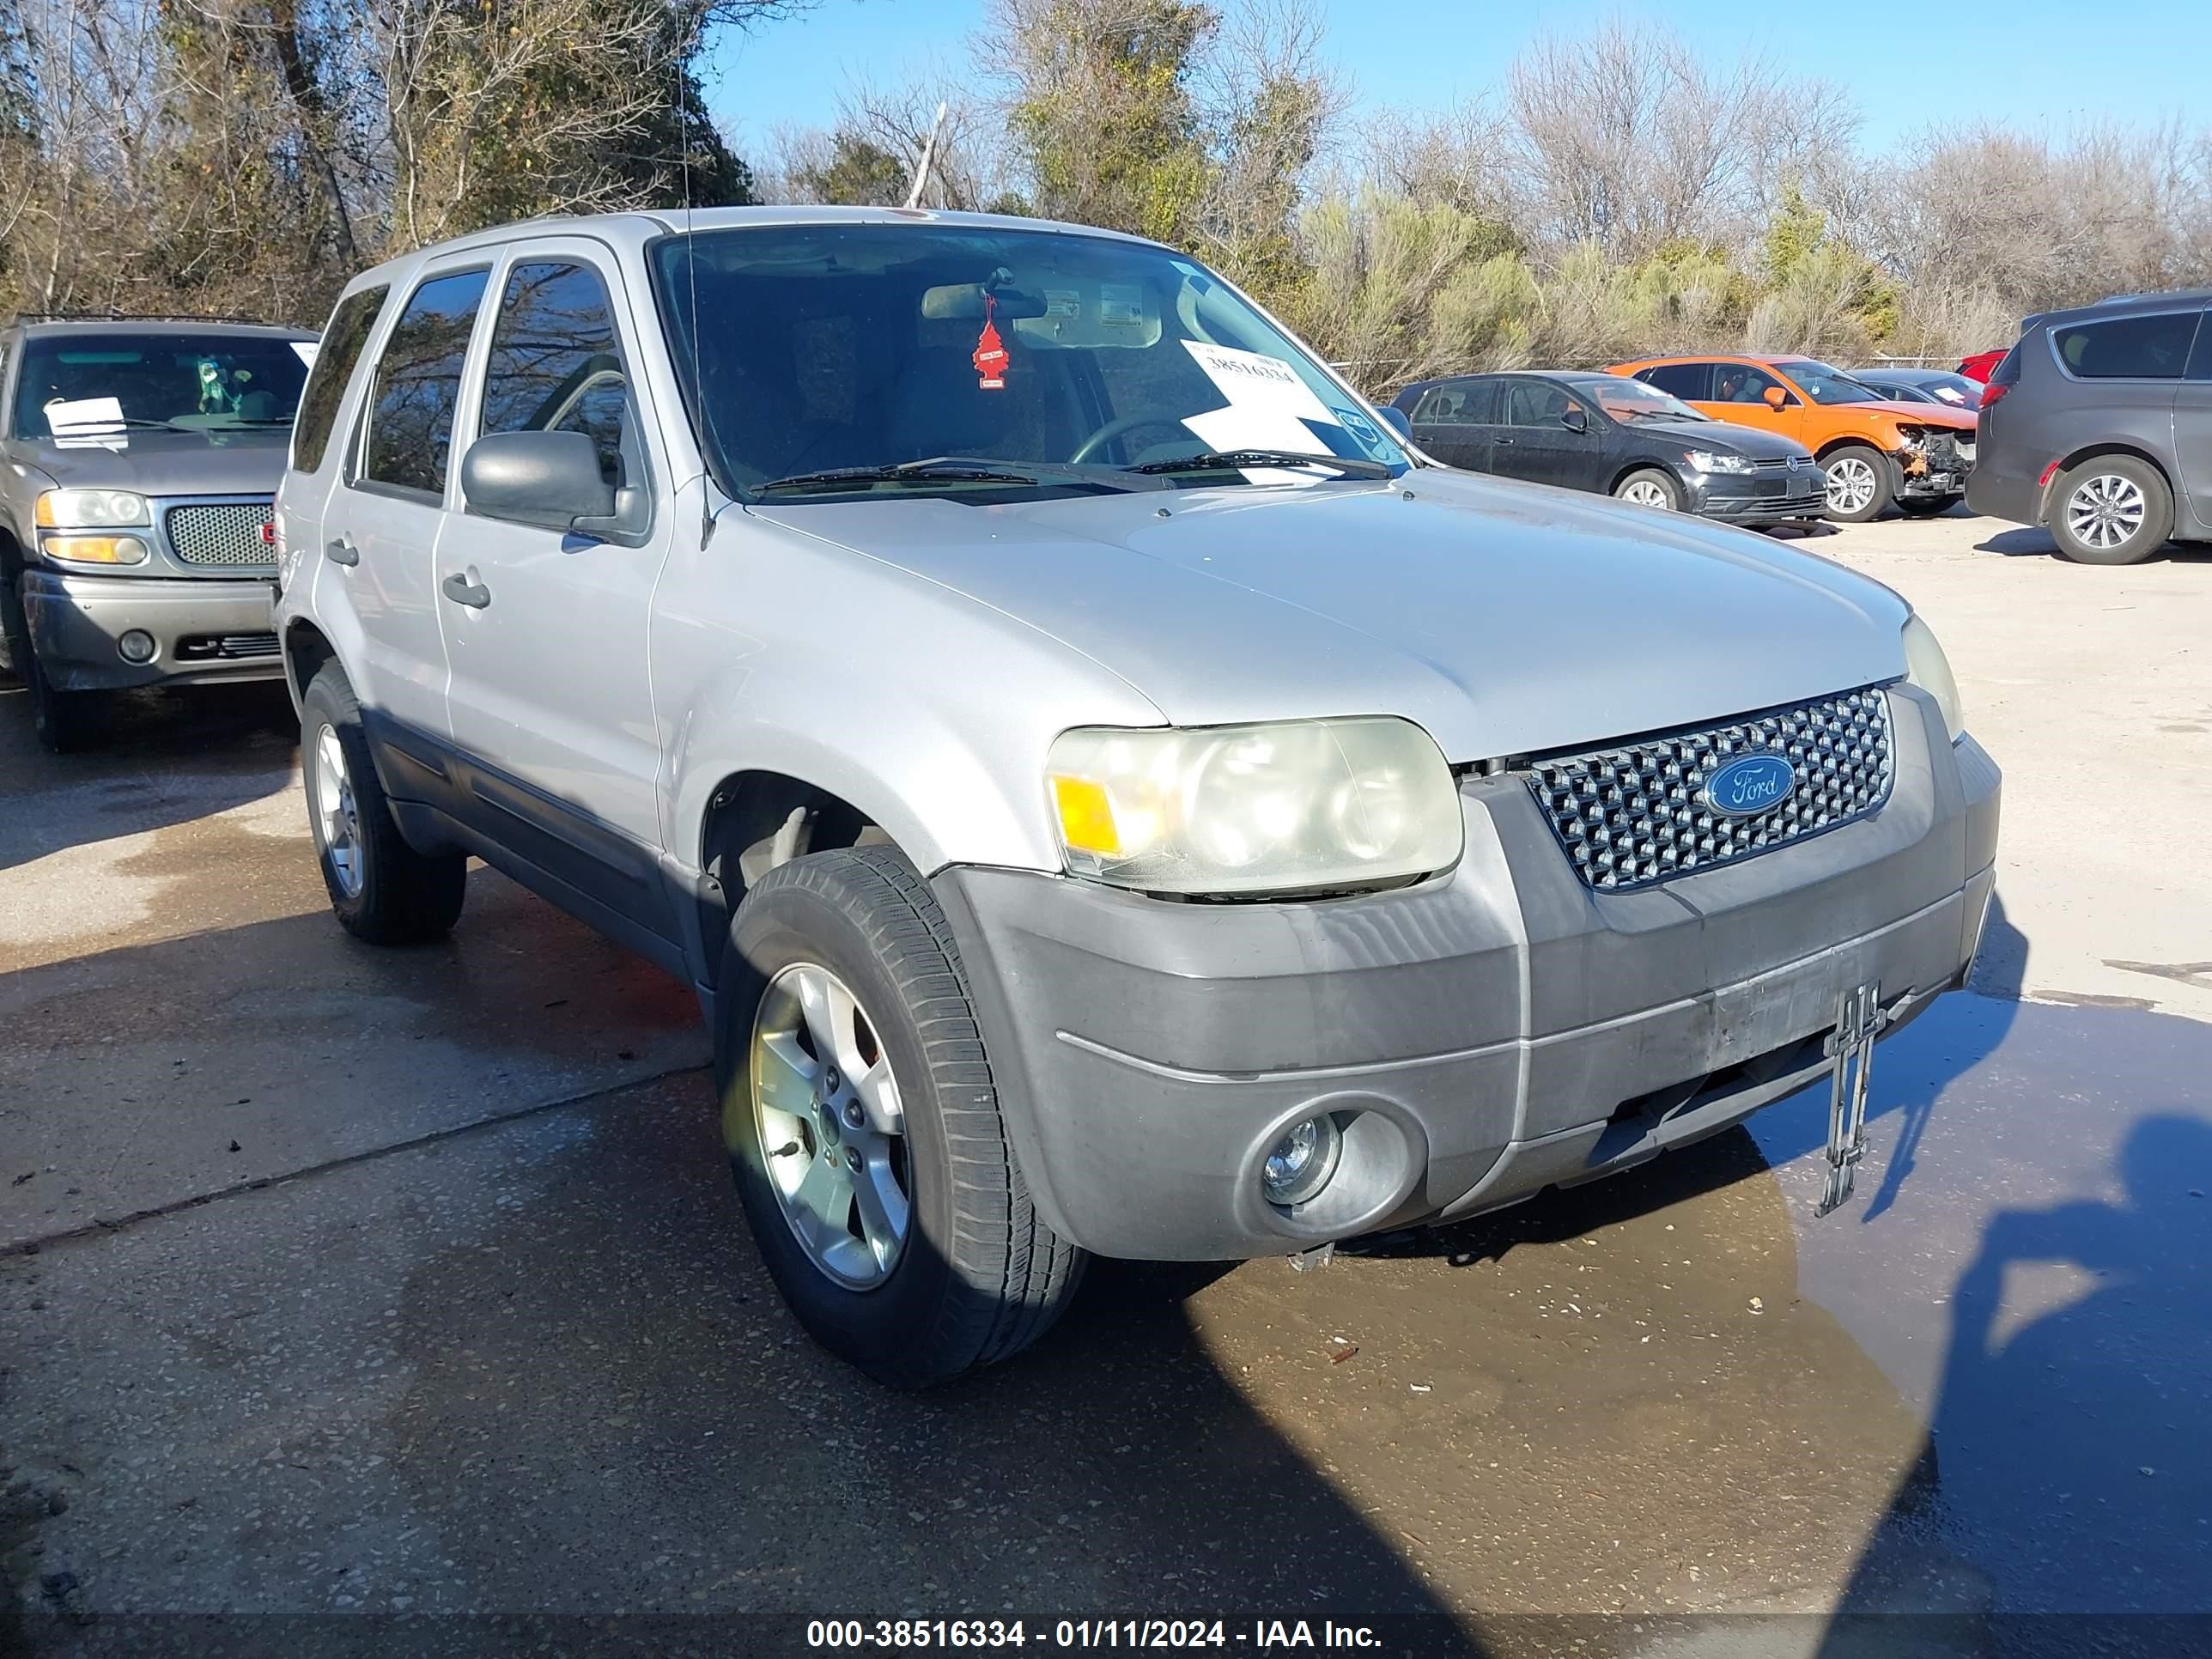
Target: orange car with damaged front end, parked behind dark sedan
<point>1877,452</point>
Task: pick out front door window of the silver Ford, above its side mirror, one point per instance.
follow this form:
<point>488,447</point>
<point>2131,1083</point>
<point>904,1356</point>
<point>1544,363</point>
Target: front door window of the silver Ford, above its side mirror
<point>556,364</point>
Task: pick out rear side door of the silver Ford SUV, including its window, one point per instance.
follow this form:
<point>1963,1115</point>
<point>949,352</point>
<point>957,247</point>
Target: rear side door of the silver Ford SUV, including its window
<point>384,523</point>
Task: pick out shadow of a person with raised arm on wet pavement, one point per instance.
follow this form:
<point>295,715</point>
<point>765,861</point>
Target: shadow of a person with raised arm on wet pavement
<point>2067,1465</point>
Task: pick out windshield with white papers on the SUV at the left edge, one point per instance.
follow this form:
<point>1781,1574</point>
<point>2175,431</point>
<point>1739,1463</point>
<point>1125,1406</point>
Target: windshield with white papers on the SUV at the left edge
<point>98,382</point>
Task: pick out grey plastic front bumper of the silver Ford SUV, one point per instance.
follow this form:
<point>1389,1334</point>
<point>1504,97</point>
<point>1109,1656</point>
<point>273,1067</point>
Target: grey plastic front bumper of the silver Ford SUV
<point>1481,1036</point>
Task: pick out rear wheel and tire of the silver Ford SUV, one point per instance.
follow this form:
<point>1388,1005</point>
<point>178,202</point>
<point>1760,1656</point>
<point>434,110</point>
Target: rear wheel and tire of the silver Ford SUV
<point>384,890</point>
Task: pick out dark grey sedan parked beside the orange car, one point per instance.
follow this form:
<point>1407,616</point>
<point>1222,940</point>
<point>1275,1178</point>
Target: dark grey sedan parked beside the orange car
<point>1616,439</point>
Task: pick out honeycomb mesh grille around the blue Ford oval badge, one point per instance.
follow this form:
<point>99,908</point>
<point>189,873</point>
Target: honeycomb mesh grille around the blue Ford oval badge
<point>1638,813</point>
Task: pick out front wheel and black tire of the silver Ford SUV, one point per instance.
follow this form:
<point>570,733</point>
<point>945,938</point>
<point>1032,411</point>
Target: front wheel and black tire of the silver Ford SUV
<point>977,1273</point>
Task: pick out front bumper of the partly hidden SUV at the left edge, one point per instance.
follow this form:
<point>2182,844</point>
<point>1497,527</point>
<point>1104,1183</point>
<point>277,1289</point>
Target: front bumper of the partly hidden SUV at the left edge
<point>202,629</point>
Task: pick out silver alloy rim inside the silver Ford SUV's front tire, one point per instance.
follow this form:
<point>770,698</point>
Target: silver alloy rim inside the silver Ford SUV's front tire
<point>833,1131</point>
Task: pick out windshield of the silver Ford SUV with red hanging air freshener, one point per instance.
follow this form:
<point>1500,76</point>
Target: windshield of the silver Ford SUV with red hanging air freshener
<point>859,346</point>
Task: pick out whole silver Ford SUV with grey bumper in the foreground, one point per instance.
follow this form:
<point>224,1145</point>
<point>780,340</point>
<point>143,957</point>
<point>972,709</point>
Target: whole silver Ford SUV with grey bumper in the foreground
<point>1105,789</point>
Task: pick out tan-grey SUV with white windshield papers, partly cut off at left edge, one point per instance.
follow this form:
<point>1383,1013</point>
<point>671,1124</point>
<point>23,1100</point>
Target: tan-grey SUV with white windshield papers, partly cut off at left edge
<point>140,459</point>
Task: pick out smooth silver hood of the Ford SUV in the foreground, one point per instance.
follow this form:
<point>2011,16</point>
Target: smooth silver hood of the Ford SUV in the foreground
<point>1503,618</point>
